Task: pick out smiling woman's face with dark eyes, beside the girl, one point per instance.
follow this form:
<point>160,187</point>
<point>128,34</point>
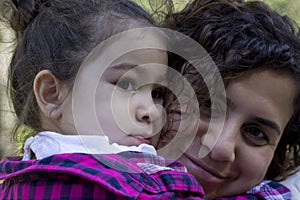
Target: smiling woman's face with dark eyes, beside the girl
<point>259,106</point>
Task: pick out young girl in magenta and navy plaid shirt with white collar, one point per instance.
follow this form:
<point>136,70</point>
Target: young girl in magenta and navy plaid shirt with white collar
<point>77,99</point>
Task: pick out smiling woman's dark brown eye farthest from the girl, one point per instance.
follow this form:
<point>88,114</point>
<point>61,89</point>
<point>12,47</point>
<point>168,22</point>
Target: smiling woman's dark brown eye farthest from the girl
<point>255,135</point>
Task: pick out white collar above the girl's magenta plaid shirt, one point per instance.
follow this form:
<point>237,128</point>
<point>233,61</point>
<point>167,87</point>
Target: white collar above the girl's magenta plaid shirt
<point>48,143</point>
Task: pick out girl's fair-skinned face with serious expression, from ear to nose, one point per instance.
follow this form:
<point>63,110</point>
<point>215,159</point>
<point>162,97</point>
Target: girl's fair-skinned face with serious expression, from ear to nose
<point>127,101</point>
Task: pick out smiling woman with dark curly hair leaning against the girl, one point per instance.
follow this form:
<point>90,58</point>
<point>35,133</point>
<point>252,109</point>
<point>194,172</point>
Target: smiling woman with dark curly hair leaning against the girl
<point>257,52</point>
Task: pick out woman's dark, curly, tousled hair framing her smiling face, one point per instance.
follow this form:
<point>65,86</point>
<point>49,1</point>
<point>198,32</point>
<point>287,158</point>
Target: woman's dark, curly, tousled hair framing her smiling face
<point>242,36</point>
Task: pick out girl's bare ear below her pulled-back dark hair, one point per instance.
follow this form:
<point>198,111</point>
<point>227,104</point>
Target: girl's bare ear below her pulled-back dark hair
<point>47,93</point>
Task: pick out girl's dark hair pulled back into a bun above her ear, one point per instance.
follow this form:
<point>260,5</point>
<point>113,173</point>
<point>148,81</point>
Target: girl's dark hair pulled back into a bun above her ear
<point>57,35</point>
